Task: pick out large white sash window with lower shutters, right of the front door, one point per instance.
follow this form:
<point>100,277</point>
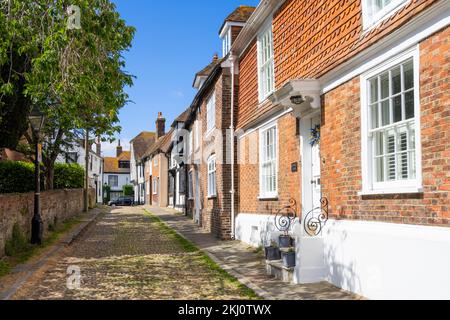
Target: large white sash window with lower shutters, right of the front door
<point>391,141</point>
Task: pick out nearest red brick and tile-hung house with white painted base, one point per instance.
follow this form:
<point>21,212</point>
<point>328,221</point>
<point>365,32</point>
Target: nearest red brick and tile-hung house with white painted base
<point>343,108</point>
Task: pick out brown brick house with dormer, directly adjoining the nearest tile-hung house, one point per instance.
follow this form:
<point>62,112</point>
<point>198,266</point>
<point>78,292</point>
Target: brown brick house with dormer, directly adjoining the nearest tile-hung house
<point>211,195</point>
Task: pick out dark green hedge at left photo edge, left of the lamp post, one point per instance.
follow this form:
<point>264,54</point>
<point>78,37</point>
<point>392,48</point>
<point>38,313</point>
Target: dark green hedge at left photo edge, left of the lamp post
<point>16,177</point>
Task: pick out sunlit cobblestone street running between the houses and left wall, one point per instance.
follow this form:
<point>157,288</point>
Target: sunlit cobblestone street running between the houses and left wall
<point>128,255</point>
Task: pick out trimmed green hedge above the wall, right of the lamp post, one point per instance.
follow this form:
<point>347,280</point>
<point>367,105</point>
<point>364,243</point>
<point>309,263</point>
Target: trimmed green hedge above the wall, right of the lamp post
<point>68,176</point>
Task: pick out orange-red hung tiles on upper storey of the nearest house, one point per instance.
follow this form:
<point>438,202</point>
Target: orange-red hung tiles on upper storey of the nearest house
<point>312,37</point>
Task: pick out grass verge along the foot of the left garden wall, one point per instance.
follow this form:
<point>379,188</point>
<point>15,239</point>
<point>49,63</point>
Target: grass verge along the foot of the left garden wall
<point>29,251</point>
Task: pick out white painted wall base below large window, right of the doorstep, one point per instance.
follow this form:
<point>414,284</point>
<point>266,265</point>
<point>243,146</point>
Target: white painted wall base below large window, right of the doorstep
<point>388,261</point>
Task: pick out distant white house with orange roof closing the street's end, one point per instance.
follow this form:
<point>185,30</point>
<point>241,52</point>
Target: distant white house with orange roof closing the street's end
<point>117,172</point>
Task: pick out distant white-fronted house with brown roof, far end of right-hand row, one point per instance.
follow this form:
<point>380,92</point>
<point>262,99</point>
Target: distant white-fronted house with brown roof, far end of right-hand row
<point>139,146</point>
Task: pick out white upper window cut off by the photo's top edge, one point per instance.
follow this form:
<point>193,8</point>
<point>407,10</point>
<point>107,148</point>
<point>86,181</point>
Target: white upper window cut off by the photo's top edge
<point>375,11</point>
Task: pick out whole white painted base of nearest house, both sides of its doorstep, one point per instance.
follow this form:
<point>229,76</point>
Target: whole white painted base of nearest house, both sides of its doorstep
<point>373,259</point>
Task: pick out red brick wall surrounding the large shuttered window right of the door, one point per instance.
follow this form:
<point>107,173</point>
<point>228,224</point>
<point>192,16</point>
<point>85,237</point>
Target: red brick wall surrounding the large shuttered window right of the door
<point>341,148</point>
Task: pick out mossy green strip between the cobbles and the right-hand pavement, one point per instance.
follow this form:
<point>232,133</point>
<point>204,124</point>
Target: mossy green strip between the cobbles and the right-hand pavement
<point>206,260</point>
